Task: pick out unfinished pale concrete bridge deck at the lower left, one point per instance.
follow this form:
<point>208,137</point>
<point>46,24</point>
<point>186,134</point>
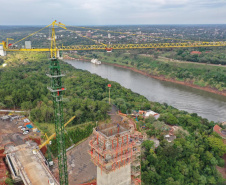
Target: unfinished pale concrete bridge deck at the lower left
<point>27,166</point>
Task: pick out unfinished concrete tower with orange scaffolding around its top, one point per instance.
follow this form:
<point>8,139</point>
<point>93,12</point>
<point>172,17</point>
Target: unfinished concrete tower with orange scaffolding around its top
<point>116,154</point>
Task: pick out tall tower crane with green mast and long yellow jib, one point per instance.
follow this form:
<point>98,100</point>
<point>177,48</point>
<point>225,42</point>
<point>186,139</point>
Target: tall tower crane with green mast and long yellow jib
<point>57,89</point>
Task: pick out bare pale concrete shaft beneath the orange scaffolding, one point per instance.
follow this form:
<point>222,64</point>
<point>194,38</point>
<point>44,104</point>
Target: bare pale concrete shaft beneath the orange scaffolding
<point>121,176</point>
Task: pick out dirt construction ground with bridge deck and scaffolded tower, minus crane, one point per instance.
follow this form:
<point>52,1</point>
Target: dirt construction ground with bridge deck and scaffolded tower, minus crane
<point>111,155</point>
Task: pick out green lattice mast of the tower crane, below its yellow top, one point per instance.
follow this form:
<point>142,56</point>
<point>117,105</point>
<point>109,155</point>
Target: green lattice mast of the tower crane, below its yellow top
<point>57,91</point>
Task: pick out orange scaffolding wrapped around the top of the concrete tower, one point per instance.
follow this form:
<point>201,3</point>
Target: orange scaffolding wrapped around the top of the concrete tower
<point>112,147</point>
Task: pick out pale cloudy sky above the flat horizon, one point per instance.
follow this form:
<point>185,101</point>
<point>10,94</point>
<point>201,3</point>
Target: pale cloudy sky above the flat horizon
<point>112,12</point>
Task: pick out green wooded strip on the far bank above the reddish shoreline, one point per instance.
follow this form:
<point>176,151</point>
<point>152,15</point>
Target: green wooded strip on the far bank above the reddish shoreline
<point>197,74</point>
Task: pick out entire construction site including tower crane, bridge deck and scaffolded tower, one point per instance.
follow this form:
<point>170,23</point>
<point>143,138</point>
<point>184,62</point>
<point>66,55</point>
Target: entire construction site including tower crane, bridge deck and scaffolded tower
<point>110,156</point>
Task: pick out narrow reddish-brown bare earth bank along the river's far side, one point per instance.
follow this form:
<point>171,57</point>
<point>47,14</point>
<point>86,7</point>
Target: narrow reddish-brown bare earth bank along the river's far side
<point>189,84</point>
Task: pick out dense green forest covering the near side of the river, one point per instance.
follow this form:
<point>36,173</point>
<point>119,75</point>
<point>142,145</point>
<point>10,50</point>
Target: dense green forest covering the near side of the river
<point>192,157</point>
